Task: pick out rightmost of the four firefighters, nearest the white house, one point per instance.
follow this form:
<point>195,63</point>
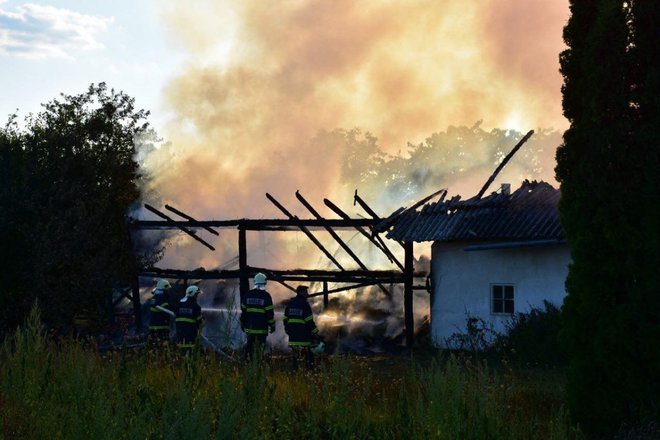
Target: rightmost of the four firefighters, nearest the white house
<point>299,325</point>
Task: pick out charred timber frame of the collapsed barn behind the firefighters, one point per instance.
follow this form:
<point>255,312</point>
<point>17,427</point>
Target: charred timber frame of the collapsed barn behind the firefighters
<point>337,279</point>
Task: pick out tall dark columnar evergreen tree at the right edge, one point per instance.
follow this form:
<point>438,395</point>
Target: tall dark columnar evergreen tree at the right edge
<point>609,168</point>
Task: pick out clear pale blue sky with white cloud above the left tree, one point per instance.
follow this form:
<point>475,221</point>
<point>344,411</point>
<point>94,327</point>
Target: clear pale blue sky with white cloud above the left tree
<point>53,47</point>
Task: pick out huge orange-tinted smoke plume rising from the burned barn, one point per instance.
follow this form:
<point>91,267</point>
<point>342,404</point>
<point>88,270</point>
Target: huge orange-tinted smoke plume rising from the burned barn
<point>280,96</point>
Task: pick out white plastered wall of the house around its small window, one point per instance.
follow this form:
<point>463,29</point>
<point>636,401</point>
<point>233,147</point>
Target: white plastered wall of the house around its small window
<point>462,280</point>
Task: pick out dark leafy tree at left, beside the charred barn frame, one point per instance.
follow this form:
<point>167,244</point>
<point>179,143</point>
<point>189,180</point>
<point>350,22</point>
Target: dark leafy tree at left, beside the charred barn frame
<point>67,180</point>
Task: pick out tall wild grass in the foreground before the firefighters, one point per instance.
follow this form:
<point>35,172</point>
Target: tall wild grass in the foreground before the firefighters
<point>62,390</point>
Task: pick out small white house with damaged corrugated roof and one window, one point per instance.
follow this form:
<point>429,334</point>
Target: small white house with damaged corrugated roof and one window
<point>491,256</point>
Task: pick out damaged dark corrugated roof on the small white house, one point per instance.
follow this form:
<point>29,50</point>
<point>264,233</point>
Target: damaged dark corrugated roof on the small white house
<point>529,213</point>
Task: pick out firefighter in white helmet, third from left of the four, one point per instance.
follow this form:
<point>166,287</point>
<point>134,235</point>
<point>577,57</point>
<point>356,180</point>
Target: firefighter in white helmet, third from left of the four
<point>257,316</point>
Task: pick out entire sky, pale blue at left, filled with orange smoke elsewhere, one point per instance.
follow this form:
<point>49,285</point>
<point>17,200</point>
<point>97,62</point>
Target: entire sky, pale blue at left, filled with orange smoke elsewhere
<point>241,89</point>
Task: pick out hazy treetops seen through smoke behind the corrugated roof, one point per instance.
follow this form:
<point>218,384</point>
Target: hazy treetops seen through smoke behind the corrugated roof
<point>447,158</point>
